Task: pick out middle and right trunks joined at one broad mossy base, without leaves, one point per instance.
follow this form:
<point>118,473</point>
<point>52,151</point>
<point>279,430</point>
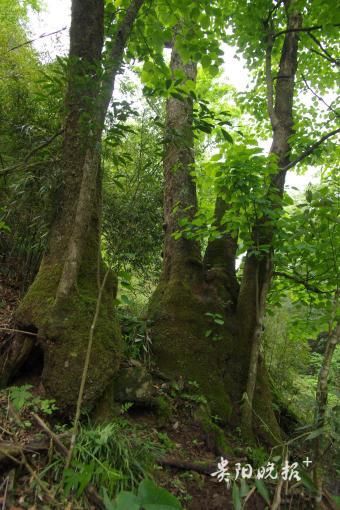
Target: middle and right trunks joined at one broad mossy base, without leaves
<point>188,340</point>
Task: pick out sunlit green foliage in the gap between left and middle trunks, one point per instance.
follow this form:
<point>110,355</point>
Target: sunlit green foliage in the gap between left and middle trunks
<point>132,201</point>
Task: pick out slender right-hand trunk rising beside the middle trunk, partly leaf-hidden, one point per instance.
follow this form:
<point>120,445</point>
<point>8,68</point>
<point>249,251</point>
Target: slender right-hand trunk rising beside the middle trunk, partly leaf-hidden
<point>258,264</point>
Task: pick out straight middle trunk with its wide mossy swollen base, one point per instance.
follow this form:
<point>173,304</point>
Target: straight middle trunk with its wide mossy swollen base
<point>183,297</point>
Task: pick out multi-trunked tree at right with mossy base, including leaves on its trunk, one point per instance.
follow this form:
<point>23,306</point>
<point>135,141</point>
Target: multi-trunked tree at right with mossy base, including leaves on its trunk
<point>187,310</point>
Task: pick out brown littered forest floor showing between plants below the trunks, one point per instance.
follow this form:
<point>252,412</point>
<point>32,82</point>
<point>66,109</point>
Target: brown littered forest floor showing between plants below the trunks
<point>189,455</point>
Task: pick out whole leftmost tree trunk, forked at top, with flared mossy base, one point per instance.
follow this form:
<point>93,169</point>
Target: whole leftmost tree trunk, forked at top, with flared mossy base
<point>60,305</point>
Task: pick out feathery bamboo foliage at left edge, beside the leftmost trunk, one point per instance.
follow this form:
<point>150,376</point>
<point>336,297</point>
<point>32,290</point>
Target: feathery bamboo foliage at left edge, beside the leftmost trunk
<point>30,114</point>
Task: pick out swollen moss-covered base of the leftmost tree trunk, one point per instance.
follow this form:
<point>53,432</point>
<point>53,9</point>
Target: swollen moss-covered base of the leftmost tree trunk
<point>63,332</point>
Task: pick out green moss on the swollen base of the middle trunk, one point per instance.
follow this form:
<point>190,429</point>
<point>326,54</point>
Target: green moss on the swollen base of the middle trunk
<point>180,346</point>
